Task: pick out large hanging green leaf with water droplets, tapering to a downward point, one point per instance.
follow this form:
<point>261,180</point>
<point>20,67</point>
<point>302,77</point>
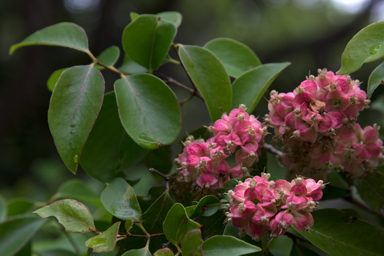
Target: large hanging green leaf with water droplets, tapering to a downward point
<point>75,103</point>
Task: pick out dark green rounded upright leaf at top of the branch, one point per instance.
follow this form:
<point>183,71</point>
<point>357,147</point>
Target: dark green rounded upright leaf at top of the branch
<point>147,39</point>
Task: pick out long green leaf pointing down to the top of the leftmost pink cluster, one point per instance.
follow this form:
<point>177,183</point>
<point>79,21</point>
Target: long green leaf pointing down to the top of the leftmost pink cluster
<point>209,76</point>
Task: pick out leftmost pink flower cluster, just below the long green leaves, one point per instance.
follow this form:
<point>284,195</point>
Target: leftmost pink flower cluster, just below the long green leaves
<point>203,162</point>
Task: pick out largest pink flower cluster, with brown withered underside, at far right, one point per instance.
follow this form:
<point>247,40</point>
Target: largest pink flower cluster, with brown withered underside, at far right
<point>317,125</point>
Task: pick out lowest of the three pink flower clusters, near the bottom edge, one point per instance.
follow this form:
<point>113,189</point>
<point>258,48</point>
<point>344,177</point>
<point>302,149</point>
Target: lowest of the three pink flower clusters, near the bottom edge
<point>258,206</point>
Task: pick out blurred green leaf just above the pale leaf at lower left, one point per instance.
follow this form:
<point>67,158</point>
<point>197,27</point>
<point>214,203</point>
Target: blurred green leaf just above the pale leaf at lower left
<point>78,190</point>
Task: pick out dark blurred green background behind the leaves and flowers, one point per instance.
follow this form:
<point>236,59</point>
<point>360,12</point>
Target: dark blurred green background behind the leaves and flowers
<point>309,33</point>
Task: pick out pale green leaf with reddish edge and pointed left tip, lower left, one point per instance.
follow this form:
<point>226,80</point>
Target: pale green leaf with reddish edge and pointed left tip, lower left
<point>73,215</point>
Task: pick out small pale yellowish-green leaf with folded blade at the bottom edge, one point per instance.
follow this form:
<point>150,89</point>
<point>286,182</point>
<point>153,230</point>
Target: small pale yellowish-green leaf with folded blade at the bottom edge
<point>104,242</point>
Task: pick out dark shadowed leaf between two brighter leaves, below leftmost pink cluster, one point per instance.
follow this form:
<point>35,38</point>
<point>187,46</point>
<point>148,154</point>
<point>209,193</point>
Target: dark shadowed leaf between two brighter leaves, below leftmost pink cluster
<point>156,213</point>
